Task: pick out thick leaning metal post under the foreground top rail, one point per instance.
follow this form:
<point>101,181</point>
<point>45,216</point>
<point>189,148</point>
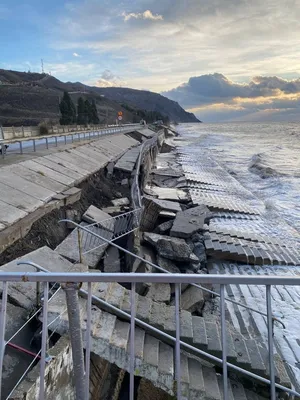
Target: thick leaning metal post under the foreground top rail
<point>71,290</point>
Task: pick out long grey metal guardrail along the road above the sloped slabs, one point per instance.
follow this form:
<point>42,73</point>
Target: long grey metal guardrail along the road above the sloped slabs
<point>62,138</point>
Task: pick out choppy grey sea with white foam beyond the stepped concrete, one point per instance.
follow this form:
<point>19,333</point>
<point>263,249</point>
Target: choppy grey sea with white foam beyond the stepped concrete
<point>263,157</point>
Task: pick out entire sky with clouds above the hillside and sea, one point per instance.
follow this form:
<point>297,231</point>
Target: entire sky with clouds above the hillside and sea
<point>224,60</point>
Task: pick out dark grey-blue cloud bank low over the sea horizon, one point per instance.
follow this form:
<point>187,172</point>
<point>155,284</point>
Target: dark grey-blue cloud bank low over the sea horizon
<point>216,97</point>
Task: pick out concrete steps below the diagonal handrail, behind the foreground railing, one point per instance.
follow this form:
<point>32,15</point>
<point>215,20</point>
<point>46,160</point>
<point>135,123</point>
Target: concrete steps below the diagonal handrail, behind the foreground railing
<point>154,359</point>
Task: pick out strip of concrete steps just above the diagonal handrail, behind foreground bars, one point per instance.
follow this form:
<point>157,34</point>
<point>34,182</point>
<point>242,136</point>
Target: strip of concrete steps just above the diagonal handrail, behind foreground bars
<point>201,332</point>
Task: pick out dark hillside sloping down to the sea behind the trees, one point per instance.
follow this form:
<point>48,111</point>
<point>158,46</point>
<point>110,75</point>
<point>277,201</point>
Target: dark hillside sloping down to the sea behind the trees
<point>28,98</point>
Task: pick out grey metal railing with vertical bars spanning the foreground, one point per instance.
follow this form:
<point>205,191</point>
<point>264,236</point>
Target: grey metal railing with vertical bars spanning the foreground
<point>71,282</point>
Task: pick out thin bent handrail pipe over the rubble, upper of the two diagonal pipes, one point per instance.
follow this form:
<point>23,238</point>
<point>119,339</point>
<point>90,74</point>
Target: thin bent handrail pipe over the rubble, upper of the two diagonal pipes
<point>166,271</point>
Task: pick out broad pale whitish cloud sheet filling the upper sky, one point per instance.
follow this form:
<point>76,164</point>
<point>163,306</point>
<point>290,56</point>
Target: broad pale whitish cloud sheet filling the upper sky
<point>240,38</point>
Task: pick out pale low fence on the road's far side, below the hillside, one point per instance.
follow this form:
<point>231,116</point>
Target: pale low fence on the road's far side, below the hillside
<point>21,132</point>
